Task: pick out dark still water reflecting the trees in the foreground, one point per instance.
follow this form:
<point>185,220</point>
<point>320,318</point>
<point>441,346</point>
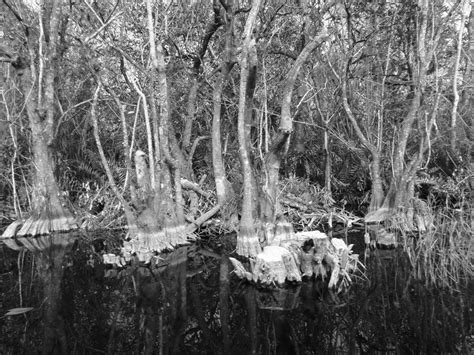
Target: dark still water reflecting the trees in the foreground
<point>191,303</point>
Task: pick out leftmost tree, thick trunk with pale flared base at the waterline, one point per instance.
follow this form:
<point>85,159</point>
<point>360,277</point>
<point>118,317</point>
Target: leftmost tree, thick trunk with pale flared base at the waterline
<point>36,67</point>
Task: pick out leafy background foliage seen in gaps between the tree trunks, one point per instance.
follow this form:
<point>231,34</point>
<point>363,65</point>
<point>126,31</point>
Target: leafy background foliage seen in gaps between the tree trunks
<point>373,26</point>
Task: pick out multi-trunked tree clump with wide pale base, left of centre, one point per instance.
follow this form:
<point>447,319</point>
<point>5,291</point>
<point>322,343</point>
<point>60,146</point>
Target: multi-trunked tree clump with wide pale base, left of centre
<point>156,215</point>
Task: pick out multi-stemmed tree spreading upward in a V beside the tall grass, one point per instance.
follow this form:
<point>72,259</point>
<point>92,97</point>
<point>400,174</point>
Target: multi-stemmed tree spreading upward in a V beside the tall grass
<point>415,54</point>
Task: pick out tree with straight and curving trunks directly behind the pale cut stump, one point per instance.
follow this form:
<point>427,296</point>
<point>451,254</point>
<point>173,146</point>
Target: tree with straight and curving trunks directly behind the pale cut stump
<point>264,198</point>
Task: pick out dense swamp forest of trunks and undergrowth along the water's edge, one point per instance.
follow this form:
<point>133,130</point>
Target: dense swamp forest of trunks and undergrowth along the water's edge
<point>160,115</point>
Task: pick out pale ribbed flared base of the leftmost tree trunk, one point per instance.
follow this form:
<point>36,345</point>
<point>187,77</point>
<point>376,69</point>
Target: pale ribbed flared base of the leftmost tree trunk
<point>49,220</point>
